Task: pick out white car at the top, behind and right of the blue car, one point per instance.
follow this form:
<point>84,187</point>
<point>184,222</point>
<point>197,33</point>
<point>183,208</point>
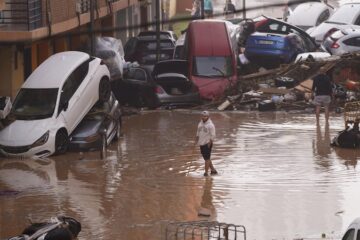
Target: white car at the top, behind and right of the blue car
<point>309,14</point>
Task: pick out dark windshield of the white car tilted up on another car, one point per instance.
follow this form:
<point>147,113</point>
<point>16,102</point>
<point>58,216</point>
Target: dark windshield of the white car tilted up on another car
<point>35,103</point>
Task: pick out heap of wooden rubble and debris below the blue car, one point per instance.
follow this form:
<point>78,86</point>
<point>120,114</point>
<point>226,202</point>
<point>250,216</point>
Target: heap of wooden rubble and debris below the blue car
<point>289,86</point>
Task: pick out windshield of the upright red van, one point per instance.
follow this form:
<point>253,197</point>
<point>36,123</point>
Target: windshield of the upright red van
<point>212,66</point>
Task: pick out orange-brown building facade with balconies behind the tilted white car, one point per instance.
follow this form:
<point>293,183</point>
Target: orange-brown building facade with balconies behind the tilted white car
<point>33,30</point>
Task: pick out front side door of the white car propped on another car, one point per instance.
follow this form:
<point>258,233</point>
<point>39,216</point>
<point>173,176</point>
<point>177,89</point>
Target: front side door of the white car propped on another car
<point>69,106</point>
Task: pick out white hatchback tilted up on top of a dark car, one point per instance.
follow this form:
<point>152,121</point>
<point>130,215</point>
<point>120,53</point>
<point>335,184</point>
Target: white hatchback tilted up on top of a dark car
<point>52,102</point>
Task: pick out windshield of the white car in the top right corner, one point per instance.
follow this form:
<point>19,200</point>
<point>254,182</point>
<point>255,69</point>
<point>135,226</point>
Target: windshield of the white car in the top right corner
<point>344,15</point>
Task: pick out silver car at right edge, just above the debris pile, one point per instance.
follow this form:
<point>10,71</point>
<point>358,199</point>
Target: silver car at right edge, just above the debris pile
<point>342,41</point>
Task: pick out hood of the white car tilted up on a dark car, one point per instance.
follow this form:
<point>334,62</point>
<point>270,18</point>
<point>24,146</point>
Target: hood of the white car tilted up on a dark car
<point>22,133</point>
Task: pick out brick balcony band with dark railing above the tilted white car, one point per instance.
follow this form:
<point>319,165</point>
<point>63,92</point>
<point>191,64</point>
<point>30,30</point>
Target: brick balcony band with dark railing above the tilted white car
<point>23,20</point>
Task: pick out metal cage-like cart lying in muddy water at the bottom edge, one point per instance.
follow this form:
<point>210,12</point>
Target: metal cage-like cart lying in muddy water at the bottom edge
<point>201,230</point>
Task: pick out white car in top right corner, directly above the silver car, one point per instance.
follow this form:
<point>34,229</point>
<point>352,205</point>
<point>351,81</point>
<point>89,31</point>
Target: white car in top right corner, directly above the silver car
<point>347,15</point>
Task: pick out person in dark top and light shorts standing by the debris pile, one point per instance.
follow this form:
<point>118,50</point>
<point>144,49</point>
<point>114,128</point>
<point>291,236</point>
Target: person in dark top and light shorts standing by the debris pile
<point>322,92</point>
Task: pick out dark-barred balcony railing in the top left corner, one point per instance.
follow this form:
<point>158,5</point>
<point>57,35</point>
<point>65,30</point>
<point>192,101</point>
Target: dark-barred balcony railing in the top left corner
<point>22,14</point>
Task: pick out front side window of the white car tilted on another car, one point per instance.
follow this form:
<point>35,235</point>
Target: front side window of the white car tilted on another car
<point>73,82</point>
